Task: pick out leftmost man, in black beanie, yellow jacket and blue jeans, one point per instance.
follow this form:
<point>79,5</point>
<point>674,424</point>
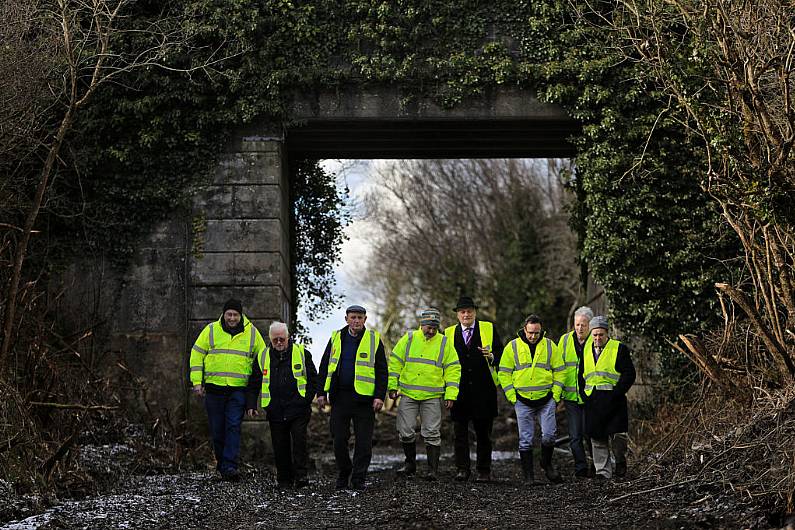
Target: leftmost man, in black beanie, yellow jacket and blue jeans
<point>220,365</point>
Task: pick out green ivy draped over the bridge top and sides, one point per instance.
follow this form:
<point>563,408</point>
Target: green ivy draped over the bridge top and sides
<point>647,233</point>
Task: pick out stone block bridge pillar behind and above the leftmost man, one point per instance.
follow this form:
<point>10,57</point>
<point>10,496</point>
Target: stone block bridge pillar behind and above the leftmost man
<point>241,245</point>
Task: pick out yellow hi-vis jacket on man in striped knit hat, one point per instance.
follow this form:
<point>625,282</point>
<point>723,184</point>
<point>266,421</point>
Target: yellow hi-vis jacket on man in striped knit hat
<point>425,369</point>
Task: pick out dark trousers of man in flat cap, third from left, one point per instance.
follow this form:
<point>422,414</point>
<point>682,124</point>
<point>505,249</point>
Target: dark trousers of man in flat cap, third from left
<point>346,408</point>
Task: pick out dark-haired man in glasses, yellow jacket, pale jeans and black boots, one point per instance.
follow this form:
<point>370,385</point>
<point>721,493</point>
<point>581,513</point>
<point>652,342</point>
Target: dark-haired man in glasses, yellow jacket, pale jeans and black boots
<point>529,366</point>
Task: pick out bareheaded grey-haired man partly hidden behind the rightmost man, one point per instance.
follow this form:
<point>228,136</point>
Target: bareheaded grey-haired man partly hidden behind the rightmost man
<point>571,347</point>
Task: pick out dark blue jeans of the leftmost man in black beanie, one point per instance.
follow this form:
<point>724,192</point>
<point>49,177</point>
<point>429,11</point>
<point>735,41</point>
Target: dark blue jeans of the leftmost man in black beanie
<point>225,414</point>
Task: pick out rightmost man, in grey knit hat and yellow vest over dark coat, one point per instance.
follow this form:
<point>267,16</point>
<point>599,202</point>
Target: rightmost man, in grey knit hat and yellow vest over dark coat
<point>608,374</point>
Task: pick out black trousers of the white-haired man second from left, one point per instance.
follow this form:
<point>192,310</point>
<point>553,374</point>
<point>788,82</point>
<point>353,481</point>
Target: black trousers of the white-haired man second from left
<point>289,448</point>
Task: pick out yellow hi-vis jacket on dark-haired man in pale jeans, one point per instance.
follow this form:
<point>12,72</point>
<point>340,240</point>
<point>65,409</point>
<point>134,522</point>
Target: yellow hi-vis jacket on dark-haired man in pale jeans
<point>533,379</point>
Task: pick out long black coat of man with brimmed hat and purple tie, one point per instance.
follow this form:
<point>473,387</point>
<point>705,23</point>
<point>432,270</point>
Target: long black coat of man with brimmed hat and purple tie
<point>477,395</point>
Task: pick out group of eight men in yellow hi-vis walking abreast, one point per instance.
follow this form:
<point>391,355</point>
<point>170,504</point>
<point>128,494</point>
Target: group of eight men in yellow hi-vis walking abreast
<point>430,369</point>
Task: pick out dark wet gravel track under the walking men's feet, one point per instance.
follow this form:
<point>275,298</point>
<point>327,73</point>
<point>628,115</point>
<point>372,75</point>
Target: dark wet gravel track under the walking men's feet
<point>199,500</point>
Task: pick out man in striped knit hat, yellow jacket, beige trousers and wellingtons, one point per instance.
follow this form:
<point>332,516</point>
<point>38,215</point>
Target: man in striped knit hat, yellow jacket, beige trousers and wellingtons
<point>424,370</point>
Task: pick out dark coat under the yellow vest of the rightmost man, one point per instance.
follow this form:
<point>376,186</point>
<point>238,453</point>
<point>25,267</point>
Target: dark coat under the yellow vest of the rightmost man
<point>606,410</point>
